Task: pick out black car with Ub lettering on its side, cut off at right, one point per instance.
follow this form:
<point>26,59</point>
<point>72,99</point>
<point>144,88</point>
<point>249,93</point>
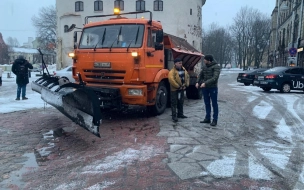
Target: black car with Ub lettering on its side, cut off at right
<point>281,78</point>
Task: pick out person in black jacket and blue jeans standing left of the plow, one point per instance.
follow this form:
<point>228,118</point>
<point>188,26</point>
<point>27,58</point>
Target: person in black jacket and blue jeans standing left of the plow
<point>20,69</point>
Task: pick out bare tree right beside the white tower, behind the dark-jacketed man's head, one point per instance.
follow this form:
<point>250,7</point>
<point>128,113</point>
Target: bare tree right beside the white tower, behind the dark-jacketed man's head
<point>218,42</point>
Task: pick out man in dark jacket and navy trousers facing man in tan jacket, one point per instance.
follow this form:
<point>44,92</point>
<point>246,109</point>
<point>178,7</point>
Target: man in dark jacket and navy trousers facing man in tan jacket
<point>207,80</point>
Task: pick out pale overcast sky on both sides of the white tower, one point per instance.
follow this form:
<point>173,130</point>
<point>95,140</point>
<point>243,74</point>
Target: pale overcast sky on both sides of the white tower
<point>16,14</point>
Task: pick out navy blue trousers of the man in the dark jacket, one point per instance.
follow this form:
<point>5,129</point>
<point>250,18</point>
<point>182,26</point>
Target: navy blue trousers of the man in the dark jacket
<point>211,94</point>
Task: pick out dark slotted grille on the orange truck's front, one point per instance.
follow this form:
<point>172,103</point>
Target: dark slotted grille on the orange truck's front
<point>104,76</point>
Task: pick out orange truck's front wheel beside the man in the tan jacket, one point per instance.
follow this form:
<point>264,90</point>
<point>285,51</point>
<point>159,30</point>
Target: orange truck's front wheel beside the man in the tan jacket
<point>161,100</point>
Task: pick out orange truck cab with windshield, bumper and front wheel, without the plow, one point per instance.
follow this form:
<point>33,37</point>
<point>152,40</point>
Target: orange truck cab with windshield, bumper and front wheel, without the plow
<point>125,61</point>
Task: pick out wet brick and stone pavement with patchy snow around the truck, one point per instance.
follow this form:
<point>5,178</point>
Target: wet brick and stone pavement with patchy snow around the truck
<point>258,144</point>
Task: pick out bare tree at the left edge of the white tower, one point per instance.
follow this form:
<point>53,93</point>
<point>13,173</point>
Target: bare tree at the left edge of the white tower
<point>45,24</point>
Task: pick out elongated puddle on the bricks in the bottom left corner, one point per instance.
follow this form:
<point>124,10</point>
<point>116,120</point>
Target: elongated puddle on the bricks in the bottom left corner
<point>15,177</point>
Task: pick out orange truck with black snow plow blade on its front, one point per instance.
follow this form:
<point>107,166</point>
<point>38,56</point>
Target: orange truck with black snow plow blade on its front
<point>118,62</point>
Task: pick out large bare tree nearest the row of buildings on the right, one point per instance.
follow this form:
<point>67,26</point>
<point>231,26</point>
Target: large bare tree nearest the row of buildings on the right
<point>251,32</point>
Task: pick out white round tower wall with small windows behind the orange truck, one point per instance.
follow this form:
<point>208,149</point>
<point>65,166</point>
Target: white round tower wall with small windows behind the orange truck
<point>179,18</point>
